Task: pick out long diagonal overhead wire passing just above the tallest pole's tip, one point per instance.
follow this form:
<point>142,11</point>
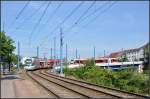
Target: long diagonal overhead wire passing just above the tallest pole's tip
<point>65,19</point>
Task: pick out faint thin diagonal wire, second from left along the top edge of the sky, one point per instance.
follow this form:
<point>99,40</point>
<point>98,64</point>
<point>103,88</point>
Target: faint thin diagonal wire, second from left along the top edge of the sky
<point>30,16</point>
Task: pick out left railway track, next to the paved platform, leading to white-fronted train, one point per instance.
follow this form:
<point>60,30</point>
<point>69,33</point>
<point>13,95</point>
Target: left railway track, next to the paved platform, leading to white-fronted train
<point>57,90</point>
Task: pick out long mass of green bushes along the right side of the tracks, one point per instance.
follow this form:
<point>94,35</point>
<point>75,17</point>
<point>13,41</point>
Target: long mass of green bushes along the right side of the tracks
<point>125,79</point>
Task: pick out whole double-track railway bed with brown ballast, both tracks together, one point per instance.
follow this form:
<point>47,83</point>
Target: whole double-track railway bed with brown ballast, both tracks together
<point>63,87</point>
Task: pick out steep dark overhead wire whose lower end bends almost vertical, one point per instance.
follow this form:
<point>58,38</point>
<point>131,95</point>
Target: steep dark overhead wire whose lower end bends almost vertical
<point>36,25</point>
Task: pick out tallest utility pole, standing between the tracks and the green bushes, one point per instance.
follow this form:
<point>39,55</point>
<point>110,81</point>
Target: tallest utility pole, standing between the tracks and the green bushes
<point>61,52</point>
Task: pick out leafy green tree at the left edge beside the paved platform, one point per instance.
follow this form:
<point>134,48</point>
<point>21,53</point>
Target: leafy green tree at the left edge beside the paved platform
<point>6,49</point>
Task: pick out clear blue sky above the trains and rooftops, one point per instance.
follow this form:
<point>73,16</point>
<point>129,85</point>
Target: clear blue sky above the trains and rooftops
<point>107,25</point>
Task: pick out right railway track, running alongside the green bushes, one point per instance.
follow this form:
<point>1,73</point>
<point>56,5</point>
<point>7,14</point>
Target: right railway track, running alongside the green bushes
<point>116,92</point>
